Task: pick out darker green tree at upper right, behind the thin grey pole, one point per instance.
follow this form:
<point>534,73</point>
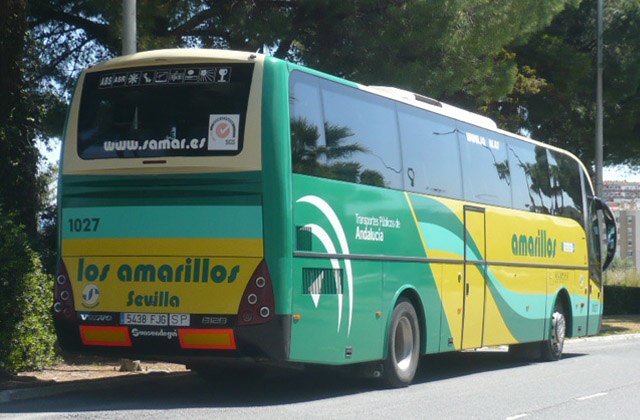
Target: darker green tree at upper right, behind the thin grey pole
<point>556,103</point>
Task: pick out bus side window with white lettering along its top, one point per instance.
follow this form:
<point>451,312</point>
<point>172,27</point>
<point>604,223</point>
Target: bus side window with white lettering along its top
<point>486,172</point>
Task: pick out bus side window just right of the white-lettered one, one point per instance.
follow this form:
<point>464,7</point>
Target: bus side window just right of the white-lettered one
<point>530,182</point>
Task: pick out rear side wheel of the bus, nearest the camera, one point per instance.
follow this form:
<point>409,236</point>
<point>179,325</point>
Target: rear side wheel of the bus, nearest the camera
<point>403,351</point>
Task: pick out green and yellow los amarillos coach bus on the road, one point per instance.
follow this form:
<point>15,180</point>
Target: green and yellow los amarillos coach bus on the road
<point>218,207</point>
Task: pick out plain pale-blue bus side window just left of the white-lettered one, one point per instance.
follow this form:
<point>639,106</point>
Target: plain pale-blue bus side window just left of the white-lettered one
<point>430,152</point>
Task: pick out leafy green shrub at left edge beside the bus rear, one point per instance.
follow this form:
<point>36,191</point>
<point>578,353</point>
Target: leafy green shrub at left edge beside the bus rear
<point>27,337</point>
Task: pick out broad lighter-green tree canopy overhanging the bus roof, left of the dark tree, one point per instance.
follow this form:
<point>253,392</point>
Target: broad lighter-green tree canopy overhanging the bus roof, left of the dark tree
<point>444,48</point>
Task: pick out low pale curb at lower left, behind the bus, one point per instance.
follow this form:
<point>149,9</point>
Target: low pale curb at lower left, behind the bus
<point>50,390</point>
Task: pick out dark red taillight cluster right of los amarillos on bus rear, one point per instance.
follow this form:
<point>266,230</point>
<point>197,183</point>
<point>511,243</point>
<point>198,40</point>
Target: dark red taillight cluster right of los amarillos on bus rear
<point>257,305</point>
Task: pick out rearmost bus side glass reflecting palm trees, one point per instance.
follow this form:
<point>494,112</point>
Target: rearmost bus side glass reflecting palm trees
<point>357,140</point>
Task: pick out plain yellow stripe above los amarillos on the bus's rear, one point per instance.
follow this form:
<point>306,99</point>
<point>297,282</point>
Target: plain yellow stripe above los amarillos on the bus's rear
<point>162,246</point>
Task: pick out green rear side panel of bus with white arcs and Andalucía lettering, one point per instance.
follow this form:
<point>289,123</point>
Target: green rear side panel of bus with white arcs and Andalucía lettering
<point>345,237</point>
